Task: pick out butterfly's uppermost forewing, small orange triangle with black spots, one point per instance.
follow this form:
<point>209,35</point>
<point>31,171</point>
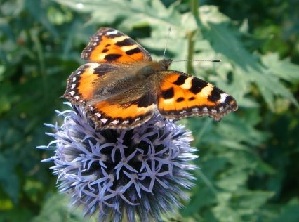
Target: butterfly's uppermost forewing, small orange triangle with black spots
<point>113,46</point>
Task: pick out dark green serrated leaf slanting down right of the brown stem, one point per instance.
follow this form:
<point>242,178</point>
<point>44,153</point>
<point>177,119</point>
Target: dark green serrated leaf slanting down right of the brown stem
<point>247,68</point>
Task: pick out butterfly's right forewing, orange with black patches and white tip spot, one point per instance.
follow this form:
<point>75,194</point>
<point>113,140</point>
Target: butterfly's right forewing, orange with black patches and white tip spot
<point>181,95</point>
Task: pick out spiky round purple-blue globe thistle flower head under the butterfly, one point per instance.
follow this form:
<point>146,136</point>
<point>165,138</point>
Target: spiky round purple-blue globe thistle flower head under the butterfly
<point>142,172</point>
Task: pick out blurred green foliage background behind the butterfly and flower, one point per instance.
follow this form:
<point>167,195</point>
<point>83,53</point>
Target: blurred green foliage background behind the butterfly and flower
<point>249,161</point>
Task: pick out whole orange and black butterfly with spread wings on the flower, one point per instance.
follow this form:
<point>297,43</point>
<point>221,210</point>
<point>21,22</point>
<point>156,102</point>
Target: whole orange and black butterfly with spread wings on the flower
<point>121,87</point>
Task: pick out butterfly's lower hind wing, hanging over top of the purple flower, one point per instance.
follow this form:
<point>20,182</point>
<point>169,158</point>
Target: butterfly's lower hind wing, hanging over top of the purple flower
<point>123,113</point>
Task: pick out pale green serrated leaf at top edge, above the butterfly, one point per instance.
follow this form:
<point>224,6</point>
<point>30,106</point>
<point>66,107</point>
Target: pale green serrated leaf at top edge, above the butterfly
<point>129,13</point>
